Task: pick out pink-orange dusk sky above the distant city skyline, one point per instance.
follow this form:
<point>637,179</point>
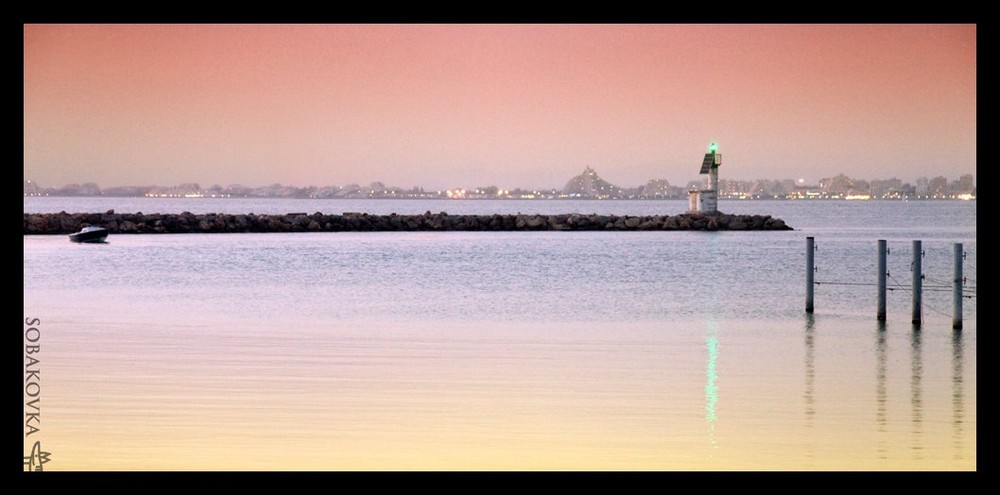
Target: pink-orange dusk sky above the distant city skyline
<point>510,105</point>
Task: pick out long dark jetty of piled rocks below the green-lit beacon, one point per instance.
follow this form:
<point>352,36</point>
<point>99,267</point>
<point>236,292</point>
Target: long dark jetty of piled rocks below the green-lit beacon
<point>188,223</point>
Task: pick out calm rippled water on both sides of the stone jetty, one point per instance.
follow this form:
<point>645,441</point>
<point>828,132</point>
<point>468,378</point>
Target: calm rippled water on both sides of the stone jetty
<point>512,350</point>
